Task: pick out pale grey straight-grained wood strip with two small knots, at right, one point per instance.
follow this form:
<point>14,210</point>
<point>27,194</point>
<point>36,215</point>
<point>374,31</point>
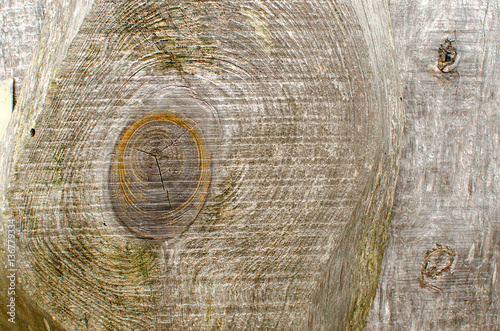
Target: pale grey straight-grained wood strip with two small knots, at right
<point>448,186</point>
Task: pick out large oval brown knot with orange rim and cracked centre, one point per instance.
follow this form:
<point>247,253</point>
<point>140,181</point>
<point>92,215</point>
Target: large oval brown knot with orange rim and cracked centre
<point>159,176</point>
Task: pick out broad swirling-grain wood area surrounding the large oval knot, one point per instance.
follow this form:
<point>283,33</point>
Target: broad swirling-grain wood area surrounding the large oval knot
<point>298,105</point>
